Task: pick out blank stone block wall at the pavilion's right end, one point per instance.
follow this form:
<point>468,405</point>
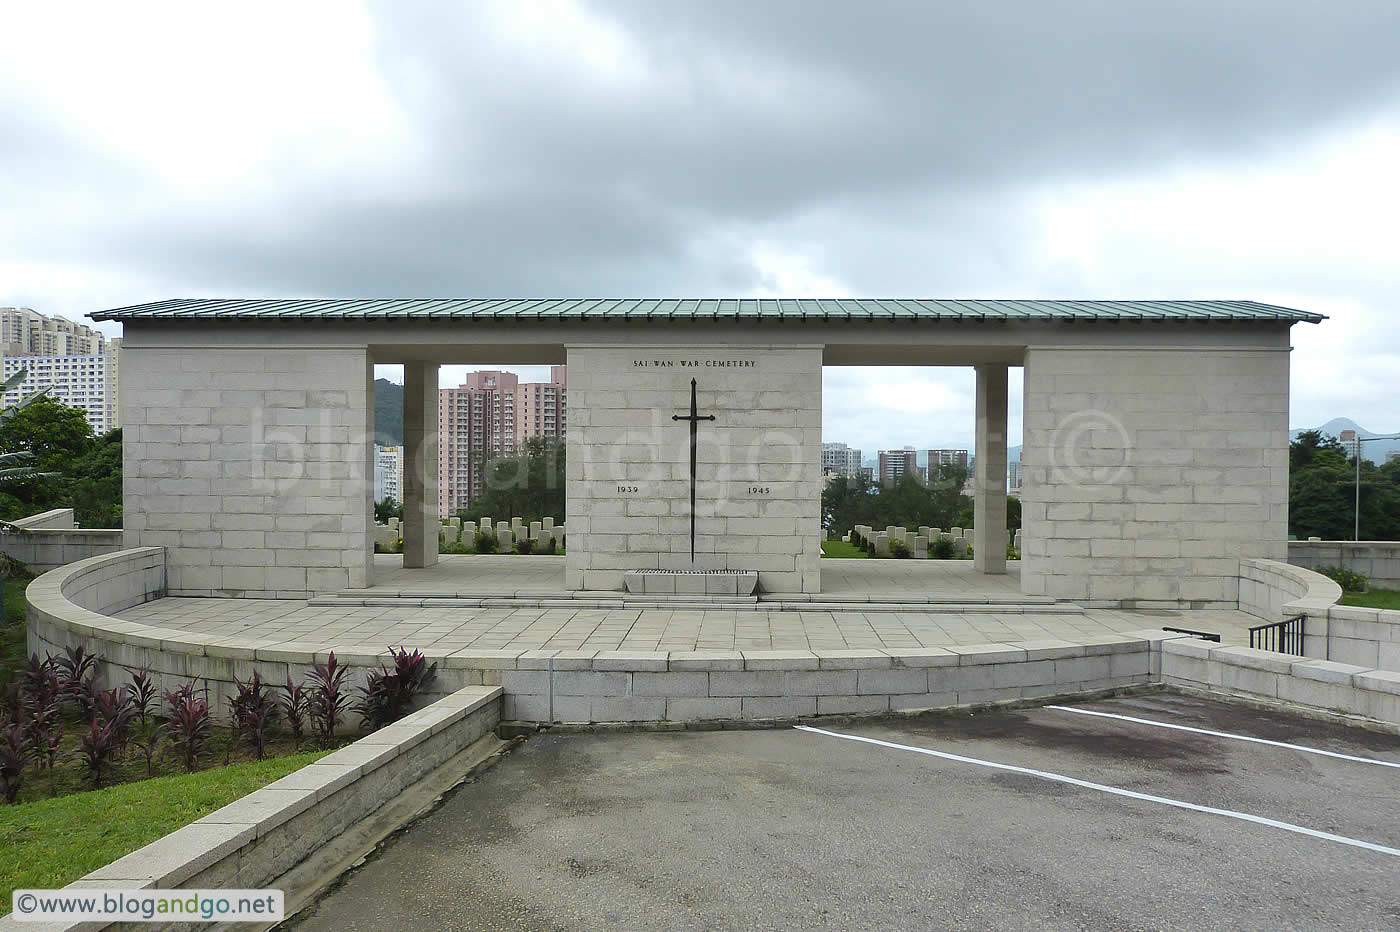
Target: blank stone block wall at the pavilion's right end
<point>1149,475</point>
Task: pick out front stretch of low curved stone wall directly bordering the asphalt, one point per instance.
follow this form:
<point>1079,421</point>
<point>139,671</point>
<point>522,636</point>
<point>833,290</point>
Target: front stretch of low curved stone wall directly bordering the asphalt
<point>776,685</point>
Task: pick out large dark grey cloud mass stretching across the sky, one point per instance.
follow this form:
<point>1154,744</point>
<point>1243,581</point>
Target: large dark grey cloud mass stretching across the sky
<point>888,138</point>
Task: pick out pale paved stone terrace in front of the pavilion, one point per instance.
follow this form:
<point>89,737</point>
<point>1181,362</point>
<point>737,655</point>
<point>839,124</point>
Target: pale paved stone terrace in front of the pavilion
<point>450,629</point>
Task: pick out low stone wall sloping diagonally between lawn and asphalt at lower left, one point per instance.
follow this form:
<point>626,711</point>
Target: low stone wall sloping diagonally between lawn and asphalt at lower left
<point>257,840</point>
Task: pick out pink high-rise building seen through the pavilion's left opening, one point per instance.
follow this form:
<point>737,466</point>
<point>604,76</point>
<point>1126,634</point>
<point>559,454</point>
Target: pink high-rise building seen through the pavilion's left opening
<point>492,414</point>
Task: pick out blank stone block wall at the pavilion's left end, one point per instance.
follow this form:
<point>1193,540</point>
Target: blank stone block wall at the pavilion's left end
<point>251,467</point>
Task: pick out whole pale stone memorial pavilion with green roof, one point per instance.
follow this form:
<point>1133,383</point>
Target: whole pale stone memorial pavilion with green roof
<point>1156,435</point>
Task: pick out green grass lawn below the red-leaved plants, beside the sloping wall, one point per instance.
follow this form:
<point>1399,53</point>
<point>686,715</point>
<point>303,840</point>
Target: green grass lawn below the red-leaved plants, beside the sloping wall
<point>50,843</point>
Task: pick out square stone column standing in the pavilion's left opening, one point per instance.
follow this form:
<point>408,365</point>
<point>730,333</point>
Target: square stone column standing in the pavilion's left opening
<point>421,465</point>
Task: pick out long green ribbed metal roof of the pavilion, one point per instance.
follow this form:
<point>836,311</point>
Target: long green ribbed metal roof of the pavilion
<point>694,309</point>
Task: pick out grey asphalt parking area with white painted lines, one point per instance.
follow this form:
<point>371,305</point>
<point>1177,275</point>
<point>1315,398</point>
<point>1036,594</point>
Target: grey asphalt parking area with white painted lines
<point>1034,819</point>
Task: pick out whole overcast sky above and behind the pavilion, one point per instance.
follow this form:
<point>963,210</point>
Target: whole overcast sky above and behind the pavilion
<point>724,149</point>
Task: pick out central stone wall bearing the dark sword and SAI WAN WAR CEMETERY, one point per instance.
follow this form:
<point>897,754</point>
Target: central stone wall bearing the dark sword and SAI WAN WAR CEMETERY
<point>759,464</point>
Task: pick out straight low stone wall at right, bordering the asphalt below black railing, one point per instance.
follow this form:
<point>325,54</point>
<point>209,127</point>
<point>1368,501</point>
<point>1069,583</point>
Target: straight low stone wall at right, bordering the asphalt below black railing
<point>1325,686</point>
